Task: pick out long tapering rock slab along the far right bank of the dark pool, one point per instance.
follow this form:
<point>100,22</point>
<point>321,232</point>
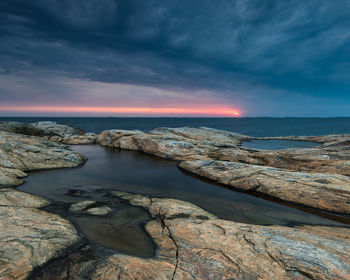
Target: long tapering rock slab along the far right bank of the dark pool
<point>329,192</point>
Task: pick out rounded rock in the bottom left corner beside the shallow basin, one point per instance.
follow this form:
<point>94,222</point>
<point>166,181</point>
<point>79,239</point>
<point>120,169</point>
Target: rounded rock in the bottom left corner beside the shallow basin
<point>29,237</point>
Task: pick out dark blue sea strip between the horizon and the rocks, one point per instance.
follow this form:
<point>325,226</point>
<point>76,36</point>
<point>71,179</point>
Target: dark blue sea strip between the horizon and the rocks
<point>258,127</point>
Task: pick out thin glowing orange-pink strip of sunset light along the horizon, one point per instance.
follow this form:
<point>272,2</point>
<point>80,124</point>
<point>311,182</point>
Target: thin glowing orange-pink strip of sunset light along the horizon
<point>124,110</point>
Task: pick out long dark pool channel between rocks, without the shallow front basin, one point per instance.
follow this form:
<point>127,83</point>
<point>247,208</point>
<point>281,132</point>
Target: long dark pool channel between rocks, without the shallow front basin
<point>136,172</point>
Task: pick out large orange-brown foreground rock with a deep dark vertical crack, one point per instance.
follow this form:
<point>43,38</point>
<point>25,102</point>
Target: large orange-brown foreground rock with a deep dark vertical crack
<point>193,244</point>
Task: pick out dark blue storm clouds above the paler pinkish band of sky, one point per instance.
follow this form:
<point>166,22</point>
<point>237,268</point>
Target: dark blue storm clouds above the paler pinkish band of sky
<point>256,46</point>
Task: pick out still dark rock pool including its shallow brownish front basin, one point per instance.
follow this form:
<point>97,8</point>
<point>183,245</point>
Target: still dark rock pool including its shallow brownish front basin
<point>136,172</point>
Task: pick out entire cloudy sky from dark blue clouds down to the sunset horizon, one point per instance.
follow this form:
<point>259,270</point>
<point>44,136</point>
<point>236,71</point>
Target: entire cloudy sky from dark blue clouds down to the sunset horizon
<point>175,58</point>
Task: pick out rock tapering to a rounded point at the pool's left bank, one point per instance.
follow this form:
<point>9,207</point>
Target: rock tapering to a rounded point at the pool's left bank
<point>21,153</point>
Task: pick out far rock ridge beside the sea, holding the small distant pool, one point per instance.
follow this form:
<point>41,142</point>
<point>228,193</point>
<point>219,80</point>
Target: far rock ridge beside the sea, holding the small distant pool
<point>210,144</point>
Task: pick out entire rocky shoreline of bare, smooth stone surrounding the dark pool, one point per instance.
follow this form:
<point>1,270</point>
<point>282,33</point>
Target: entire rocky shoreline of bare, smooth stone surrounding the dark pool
<point>190,242</point>
